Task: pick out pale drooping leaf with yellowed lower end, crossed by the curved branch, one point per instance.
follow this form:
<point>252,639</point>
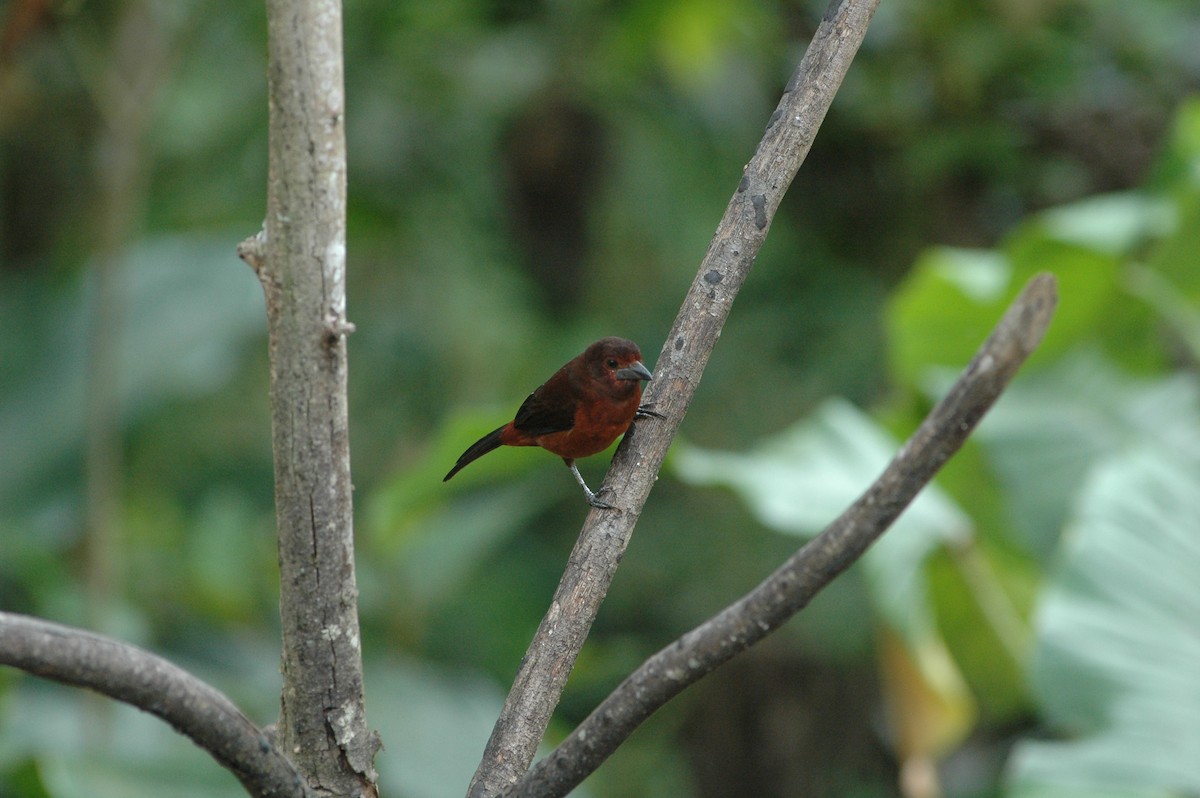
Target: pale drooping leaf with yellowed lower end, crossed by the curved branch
<point>801,481</point>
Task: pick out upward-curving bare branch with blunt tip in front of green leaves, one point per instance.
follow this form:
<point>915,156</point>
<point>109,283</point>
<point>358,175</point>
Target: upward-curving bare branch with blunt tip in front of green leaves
<point>794,585</point>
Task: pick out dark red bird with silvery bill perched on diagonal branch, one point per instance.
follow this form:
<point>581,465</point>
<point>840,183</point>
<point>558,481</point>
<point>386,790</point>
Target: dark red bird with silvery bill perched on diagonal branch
<point>579,412</point>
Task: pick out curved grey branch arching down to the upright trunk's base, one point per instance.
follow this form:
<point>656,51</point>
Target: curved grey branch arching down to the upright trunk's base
<point>153,685</point>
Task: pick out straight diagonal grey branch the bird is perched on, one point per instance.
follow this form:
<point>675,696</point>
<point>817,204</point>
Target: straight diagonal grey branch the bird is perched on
<point>740,236</point>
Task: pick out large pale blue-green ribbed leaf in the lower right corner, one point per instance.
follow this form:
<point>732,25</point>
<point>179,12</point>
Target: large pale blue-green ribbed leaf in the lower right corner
<point>1119,640</point>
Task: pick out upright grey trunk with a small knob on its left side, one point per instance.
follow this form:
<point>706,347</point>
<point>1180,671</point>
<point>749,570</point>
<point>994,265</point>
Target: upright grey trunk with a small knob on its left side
<point>301,261</point>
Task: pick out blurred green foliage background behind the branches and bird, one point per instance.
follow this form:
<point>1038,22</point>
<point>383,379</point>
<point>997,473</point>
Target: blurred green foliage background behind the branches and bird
<point>529,177</point>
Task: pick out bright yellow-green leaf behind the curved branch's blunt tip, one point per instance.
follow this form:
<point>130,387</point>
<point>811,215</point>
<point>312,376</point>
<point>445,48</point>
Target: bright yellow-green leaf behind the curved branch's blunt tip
<point>946,304</point>
